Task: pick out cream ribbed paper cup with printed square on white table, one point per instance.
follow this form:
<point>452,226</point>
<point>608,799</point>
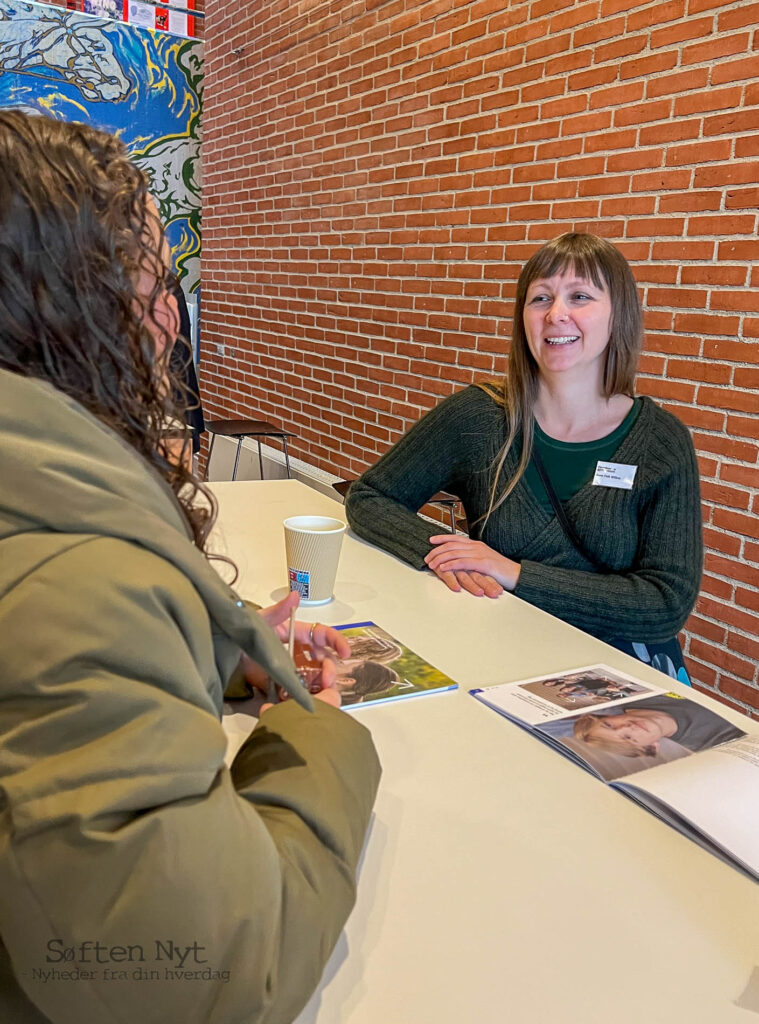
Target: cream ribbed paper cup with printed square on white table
<point>313,547</point>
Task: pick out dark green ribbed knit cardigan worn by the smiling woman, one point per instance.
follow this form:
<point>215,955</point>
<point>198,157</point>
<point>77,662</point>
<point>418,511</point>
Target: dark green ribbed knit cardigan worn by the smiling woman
<point>650,535</point>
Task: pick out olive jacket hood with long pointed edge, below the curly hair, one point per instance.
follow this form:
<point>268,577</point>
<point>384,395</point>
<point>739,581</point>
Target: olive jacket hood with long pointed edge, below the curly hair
<point>63,471</point>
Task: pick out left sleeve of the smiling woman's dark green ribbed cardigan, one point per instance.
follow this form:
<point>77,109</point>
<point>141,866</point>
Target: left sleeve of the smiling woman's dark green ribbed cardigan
<point>435,455</point>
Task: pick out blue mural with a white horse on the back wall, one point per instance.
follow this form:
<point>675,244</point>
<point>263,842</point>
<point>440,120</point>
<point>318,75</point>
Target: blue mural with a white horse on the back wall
<point>144,87</point>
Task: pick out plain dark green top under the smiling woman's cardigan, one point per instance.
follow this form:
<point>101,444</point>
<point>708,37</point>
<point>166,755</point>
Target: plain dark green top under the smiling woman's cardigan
<point>572,464</point>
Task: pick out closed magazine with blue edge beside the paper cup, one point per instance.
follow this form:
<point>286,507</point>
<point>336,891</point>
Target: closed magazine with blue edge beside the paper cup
<point>383,669</point>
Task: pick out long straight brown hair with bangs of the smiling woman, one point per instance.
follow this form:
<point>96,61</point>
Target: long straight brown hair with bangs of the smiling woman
<point>597,261</point>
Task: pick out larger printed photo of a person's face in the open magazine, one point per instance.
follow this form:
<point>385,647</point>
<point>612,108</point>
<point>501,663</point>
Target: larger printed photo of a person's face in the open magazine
<point>622,741</point>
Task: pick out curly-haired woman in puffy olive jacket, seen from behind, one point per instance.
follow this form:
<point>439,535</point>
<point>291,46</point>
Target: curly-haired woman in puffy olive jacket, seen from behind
<point>141,881</point>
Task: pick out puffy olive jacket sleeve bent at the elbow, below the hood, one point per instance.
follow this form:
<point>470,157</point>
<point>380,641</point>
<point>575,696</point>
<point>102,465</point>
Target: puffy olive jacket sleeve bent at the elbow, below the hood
<point>213,895</point>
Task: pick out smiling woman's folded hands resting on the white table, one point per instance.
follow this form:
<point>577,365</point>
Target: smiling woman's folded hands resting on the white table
<point>472,566</point>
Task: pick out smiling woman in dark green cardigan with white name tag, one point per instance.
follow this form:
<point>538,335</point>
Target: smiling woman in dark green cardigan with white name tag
<point>582,498</point>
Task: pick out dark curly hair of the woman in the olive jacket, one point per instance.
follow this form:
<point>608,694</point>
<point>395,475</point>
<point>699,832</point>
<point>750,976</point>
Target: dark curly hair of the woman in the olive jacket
<point>77,230</point>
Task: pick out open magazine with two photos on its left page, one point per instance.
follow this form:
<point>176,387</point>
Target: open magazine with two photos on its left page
<point>687,764</point>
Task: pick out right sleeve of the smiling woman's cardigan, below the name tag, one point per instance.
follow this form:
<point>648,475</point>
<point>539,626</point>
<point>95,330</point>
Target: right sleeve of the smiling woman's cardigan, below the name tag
<point>652,601</point>
